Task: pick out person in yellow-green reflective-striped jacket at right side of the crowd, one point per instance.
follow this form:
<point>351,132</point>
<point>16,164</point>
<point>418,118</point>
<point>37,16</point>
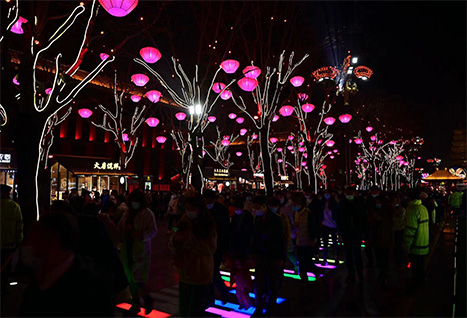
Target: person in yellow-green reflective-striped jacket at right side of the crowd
<point>416,238</point>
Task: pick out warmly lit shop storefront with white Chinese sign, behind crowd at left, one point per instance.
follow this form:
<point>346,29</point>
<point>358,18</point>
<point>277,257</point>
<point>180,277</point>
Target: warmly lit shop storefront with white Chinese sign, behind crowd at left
<point>91,174</point>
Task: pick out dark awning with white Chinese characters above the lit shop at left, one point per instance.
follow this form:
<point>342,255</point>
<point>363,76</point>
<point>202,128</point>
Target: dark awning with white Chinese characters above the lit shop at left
<point>92,166</point>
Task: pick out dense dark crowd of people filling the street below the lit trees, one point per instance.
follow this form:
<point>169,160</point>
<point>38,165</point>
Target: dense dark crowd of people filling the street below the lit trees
<point>88,248</point>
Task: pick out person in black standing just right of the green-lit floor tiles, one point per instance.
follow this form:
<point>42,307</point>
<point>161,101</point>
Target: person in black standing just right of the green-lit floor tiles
<point>351,223</point>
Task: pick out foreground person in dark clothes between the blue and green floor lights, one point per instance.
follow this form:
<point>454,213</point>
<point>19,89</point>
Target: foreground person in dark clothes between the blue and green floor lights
<point>269,252</point>
